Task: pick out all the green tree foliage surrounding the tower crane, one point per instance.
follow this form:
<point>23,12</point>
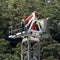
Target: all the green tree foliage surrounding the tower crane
<point>14,10</point>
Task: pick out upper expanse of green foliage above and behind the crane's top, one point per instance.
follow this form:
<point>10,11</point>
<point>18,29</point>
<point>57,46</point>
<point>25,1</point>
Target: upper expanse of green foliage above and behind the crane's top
<point>13,11</point>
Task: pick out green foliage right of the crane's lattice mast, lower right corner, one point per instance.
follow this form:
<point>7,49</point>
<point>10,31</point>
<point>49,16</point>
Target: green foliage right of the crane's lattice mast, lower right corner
<point>50,49</point>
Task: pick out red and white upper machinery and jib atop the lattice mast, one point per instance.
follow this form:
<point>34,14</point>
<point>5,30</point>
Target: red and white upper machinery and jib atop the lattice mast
<point>31,25</point>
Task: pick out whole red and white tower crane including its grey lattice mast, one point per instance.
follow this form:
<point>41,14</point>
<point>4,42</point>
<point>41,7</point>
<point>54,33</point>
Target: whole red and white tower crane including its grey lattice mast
<point>30,44</point>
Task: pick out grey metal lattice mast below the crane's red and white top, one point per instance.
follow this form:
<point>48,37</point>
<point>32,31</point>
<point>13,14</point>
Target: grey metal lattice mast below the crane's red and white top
<point>30,48</point>
